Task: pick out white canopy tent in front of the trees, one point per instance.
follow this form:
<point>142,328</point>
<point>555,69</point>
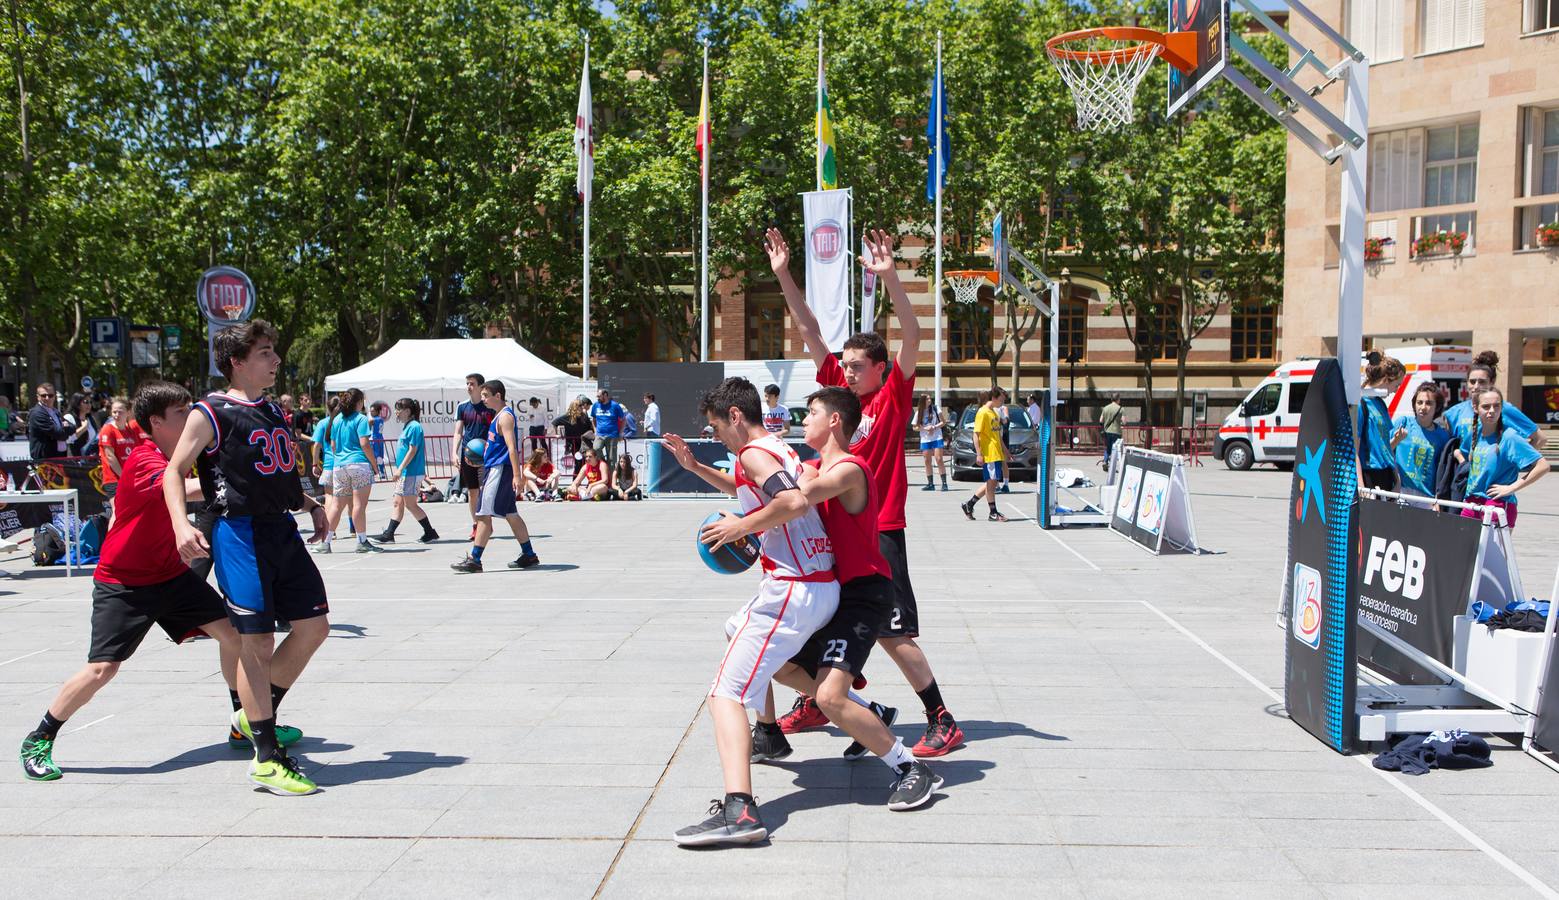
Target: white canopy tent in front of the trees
<point>434,374</point>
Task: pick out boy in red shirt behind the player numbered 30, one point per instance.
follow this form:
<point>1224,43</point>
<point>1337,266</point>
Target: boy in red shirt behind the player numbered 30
<point>141,581</point>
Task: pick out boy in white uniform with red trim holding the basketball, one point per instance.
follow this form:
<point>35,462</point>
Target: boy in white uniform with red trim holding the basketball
<point>797,597</point>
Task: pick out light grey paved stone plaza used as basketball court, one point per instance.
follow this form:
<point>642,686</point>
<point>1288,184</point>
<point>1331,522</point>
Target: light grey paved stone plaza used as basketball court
<point>542,734</point>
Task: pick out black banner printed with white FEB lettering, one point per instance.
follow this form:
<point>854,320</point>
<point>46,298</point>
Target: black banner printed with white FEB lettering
<point>1415,578</point>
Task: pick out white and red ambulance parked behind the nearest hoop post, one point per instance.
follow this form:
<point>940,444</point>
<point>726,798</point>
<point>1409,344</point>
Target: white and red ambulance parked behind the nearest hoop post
<point>1265,428</point>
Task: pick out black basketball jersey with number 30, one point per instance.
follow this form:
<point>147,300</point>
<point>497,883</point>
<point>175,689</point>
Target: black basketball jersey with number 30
<point>252,470</point>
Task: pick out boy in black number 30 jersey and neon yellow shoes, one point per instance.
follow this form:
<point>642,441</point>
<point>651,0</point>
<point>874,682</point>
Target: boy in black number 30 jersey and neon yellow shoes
<point>242,450</point>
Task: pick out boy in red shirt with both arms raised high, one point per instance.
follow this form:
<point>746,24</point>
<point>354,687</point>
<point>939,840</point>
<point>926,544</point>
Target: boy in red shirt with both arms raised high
<point>880,441</point>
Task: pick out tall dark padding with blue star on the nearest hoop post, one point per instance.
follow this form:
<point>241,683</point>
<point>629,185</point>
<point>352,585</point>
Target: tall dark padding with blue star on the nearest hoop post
<point>1320,664</point>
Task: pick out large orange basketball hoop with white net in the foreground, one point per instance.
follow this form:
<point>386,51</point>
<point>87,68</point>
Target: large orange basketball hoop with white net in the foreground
<point>1105,66</point>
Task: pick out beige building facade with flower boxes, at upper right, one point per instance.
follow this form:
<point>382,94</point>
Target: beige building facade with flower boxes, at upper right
<point>1463,169</point>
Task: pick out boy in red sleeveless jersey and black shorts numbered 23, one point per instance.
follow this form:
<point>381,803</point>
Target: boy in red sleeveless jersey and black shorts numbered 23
<point>840,486</point>
